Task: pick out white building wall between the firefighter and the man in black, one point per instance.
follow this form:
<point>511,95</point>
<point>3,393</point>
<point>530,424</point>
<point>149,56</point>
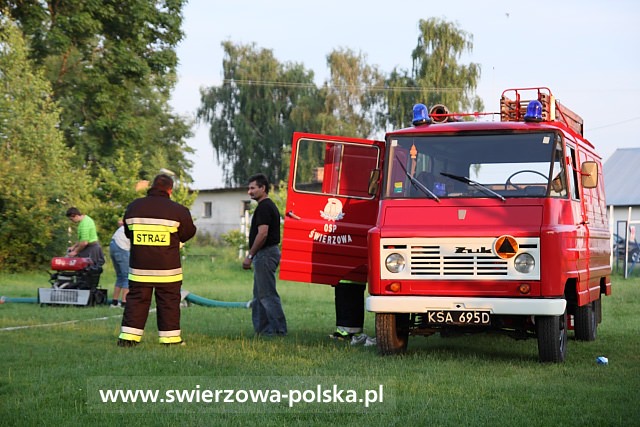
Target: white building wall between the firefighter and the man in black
<point>227,210</point>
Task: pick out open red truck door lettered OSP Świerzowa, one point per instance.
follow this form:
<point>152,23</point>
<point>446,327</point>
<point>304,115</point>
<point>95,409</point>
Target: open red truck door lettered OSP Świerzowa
<point>330,208</point>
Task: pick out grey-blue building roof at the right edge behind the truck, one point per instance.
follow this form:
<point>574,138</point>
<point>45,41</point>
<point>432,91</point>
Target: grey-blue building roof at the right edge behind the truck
<point>622,177</point>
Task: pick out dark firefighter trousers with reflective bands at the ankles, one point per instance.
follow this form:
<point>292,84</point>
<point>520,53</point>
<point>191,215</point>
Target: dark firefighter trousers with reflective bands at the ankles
<point>137,310</point>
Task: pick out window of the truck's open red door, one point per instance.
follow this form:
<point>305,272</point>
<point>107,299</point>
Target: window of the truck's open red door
<point>334,168</point>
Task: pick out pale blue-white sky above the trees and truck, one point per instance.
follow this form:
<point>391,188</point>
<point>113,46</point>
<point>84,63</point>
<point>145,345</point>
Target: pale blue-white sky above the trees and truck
<point>587,52</point>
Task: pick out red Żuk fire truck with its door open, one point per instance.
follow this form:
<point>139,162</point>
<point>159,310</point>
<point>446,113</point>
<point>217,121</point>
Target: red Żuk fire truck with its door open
<point>458,224</point>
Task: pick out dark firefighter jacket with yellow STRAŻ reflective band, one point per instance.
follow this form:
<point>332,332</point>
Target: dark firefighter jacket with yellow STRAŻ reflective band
<point>157,226</point>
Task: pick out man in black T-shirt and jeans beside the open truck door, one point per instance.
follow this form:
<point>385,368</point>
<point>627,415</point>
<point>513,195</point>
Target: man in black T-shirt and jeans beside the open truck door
<point>264,237</point>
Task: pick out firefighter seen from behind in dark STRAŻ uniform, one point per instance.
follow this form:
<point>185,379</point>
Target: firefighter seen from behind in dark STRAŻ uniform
<point>156,226</point>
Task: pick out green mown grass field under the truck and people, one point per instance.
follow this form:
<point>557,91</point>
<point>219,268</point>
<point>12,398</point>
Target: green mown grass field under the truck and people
<point>50,374</point>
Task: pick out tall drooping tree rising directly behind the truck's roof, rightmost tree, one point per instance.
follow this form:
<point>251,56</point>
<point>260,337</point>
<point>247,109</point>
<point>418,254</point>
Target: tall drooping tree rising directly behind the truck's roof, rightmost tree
<point>436,76</point>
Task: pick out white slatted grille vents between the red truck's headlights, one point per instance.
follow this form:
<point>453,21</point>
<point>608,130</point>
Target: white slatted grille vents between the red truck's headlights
<point>429,261</point>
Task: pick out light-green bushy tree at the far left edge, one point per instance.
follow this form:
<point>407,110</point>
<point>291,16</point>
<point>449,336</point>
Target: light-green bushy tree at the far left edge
<point>37,181</point>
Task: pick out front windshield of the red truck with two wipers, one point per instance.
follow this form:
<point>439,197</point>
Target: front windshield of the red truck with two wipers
<point>478,165</point>
